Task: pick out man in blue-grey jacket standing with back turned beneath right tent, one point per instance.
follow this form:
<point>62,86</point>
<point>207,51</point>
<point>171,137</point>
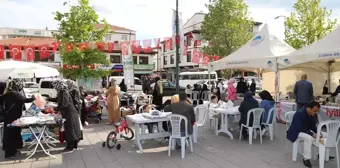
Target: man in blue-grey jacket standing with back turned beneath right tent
<point>303,91</point>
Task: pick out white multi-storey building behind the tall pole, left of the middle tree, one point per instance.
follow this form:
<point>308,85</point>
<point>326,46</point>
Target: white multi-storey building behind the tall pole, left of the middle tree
<point>166,60</point>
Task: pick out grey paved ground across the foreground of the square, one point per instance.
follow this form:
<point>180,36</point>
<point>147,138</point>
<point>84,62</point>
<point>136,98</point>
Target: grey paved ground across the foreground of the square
<point>211,152</point>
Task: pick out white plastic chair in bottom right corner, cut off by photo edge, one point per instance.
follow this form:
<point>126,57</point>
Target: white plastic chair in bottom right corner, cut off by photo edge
<point>331,140</point>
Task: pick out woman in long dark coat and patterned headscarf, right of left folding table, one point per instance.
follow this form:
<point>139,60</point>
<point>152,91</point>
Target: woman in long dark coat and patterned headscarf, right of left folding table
<point>69,112</point>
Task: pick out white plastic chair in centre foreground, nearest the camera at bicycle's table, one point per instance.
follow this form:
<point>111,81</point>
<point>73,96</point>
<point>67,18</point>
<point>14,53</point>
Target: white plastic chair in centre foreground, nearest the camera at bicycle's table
<point>175,121</point>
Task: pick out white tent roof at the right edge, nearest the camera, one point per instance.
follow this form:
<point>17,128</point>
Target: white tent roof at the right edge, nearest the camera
<point>316,54</point>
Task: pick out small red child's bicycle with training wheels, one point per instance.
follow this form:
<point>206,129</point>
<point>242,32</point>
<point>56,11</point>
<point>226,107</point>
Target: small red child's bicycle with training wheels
<point>122,130</point>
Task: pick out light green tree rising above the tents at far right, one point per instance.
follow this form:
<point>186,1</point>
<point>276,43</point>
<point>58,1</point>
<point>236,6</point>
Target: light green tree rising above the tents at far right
<point>309,23</point>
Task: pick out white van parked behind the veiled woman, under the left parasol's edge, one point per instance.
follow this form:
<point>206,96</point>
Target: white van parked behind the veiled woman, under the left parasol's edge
<point>46,88</point>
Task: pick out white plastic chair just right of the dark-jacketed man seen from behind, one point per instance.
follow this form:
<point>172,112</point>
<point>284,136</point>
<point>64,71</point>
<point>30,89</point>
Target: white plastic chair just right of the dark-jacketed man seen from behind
<point>202,112</point>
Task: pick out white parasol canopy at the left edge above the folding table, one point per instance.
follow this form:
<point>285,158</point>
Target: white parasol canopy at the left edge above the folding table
<point>20,69</point>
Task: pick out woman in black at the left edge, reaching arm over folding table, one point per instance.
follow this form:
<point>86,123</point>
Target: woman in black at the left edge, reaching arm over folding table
<point>14,102</point>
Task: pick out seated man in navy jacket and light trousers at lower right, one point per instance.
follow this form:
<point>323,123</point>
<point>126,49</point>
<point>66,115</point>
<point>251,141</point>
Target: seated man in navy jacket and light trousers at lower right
<point>303,128</point>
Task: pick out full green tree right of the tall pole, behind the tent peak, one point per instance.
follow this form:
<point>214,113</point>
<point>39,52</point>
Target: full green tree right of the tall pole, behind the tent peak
<point>226,26</point>
